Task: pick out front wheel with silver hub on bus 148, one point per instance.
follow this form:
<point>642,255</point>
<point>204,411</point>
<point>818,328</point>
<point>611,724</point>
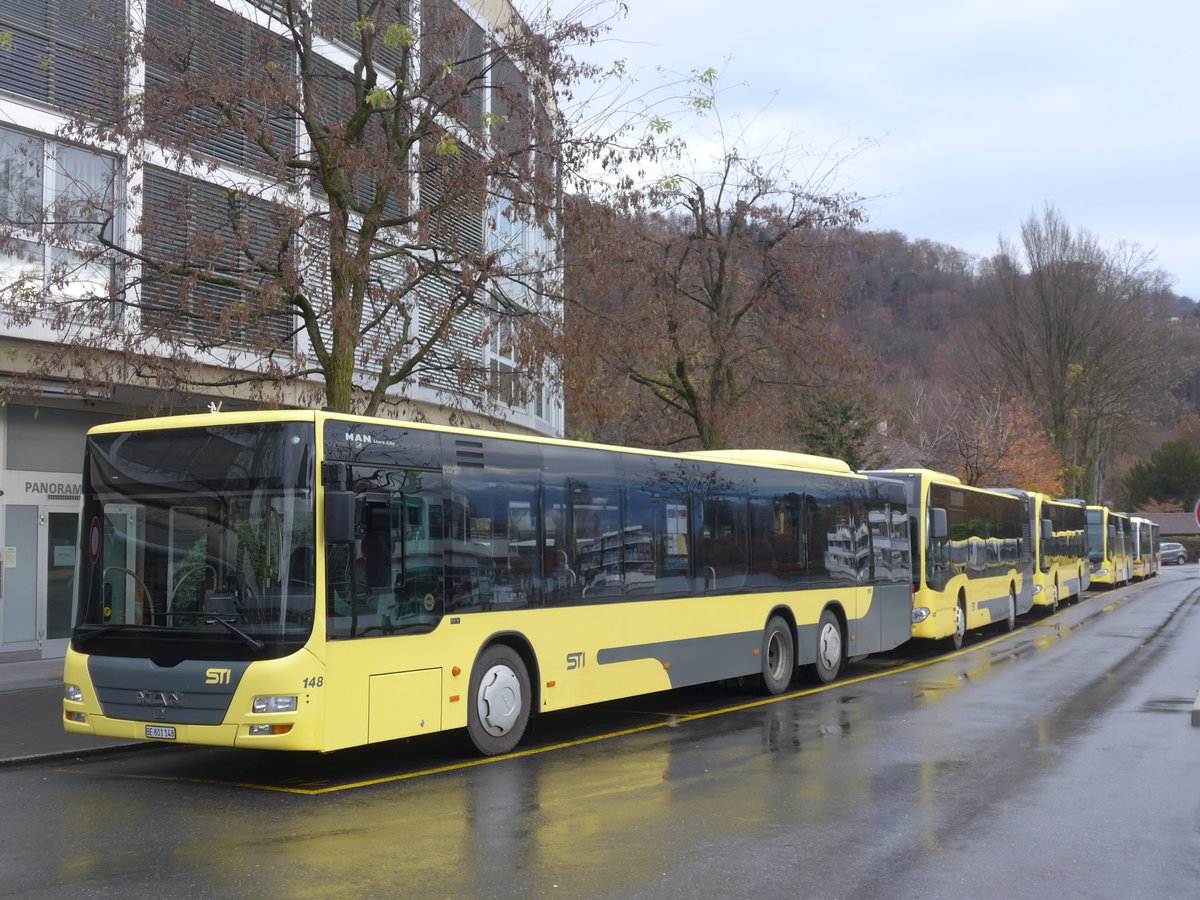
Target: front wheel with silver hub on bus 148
<point>499,709</point>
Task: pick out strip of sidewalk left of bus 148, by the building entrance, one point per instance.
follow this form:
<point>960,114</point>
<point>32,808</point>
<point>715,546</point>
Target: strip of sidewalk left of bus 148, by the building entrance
<point>32,716</point>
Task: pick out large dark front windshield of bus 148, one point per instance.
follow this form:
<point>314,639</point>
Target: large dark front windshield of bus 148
<point>197,543</point>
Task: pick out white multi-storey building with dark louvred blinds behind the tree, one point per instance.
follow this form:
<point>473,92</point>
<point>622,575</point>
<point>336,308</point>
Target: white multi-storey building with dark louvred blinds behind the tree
<point>51,69</point>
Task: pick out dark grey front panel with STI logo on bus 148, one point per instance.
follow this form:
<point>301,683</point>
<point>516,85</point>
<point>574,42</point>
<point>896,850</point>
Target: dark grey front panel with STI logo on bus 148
<point>194,693</point>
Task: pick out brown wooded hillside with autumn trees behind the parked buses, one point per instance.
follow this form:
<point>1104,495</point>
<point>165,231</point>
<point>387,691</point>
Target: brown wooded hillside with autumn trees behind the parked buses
<point>1054,364</point>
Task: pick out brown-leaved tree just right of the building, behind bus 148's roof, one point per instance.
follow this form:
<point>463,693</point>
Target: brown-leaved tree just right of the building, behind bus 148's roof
<point>701,305</point>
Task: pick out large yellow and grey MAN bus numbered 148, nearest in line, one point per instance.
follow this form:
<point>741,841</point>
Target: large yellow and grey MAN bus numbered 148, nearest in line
<point>311,581</point>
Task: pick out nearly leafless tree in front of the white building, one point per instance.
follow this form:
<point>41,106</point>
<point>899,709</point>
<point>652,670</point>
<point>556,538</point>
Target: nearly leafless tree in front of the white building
<point>351,194</point>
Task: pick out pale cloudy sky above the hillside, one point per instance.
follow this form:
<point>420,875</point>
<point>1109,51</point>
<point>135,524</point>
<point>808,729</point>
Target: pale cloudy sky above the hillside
<point>979,113</point>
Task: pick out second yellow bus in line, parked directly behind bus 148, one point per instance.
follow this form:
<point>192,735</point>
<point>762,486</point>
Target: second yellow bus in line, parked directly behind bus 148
<point>971,556</point>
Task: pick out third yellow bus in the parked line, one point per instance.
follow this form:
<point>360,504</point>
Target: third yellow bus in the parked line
<point>1059,543</point>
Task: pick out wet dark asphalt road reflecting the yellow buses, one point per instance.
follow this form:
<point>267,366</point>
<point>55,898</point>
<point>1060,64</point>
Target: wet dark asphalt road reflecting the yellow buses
<point>1057,761</point>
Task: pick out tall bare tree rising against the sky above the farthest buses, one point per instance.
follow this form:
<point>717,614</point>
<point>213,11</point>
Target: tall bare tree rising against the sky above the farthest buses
<point>1079,331</point>
